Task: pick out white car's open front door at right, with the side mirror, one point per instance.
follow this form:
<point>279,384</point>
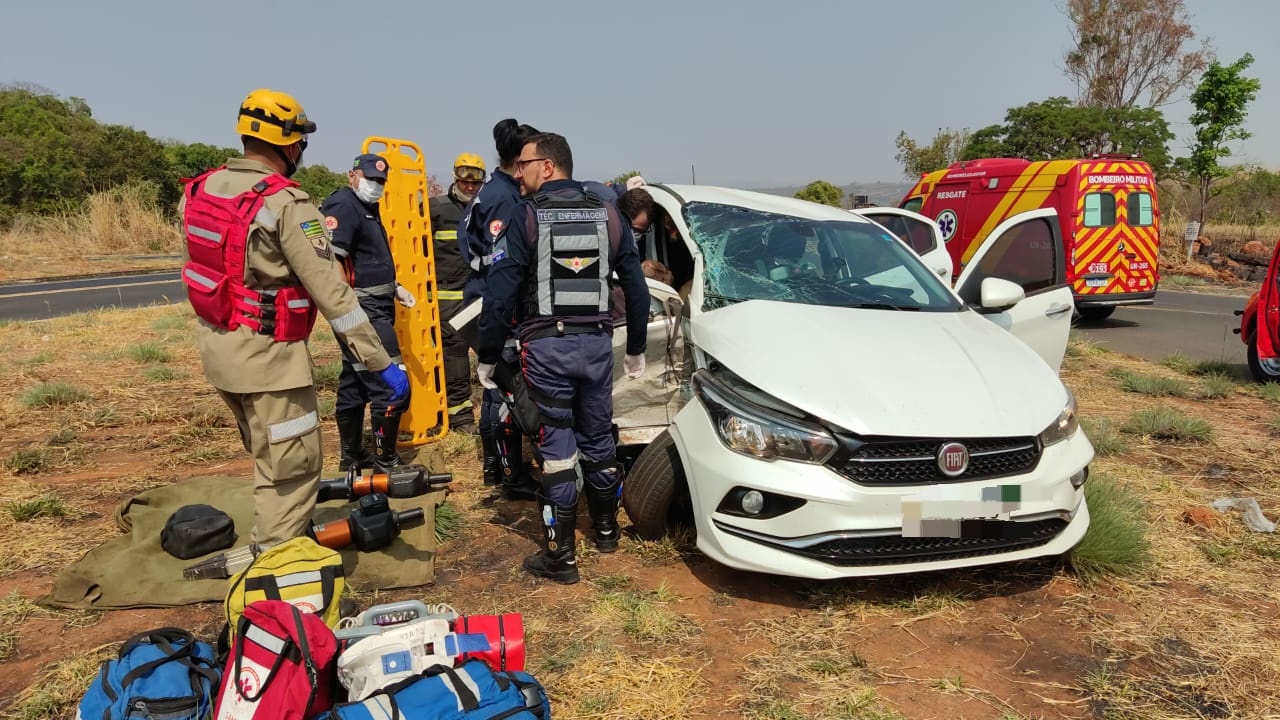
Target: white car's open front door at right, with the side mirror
<point>1026,250</point>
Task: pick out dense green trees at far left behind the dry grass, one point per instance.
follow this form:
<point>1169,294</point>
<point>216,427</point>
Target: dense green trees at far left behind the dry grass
<point>54,154</point>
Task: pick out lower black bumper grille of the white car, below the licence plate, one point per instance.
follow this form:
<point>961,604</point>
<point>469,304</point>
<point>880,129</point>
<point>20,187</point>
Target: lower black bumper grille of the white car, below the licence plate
<point>982,537</point>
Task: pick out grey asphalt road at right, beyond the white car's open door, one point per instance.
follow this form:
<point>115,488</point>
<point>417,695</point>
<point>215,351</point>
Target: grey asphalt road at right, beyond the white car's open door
<point>1196,325</point>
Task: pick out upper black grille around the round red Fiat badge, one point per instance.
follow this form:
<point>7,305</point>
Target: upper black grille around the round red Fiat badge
<point>911,462</point>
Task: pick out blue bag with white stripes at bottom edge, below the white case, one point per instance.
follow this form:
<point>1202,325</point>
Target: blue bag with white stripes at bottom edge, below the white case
<point>472,691</point>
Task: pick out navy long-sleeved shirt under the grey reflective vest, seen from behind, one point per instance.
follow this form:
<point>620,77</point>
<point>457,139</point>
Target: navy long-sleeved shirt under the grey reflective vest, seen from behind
<point>514,270</point>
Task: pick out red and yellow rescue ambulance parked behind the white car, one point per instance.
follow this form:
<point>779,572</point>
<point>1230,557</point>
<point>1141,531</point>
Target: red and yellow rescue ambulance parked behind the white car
<point>1107,208</point>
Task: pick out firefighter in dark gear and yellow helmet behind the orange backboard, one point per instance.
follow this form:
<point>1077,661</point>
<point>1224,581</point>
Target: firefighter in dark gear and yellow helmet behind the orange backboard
<point>451,276</point>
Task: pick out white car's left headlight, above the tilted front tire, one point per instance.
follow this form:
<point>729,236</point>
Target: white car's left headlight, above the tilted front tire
<point>751,430</point>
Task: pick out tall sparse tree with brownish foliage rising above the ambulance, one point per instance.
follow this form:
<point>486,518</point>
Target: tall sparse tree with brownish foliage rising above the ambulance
<point>1131,51</point>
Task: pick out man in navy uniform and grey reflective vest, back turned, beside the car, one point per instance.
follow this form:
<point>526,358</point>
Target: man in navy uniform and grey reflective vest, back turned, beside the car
<point>550,280</point>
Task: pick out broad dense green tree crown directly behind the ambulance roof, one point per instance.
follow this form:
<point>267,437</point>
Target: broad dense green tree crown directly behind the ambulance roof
<point>1058,129</point>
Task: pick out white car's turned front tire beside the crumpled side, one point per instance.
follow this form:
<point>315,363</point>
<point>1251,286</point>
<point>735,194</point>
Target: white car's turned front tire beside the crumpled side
<point>656,493</point>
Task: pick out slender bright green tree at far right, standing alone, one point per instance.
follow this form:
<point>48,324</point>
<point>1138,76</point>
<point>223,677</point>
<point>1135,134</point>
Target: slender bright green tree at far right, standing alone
<point>1222,103</point>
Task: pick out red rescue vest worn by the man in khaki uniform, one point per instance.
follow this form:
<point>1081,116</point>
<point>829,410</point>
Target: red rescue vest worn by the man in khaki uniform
<point>217,233</point>
